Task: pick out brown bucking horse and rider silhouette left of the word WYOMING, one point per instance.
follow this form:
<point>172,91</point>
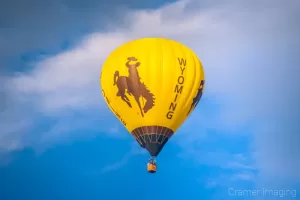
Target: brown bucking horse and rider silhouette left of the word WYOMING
<point>134,86</point>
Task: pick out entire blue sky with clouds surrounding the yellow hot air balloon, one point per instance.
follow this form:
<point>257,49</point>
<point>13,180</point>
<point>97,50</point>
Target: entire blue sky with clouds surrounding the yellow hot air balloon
<point>58,139</point>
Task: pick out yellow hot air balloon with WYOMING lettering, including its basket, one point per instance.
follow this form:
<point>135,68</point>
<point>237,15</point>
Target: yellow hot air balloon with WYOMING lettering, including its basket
<point>152,85</point>
